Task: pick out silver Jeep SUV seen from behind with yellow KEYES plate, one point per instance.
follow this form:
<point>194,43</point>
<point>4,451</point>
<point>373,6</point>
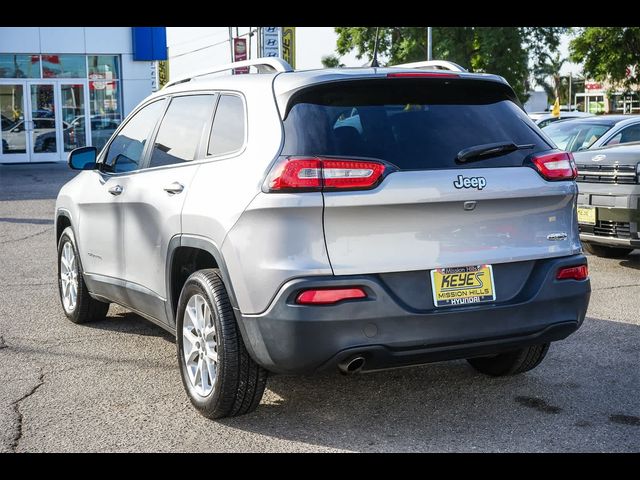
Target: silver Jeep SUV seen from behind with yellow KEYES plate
<point>352,219</point>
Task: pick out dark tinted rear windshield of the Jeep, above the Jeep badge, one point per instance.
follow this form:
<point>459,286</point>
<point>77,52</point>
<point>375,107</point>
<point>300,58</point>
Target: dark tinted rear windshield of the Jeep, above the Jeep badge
<point>414,124</point>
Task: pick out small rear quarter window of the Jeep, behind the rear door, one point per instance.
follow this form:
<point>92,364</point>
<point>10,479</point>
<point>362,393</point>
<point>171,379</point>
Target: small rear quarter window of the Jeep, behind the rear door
<point>227,133</point>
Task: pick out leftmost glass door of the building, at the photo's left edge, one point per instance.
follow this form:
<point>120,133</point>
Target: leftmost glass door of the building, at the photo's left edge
<point>14,123</point>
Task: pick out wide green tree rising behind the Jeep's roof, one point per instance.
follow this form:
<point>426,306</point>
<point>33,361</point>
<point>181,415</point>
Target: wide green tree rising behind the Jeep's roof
<point>505,51</point>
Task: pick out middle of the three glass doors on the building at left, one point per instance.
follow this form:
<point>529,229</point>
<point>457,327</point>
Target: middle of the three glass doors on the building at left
<point>43,122</point>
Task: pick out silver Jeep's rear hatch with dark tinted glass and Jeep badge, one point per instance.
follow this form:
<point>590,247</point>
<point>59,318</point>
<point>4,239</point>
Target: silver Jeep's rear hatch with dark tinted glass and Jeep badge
<point>431,210</point>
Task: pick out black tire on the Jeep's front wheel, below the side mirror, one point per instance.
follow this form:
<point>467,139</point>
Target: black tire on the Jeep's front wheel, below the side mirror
<point>86,309</point>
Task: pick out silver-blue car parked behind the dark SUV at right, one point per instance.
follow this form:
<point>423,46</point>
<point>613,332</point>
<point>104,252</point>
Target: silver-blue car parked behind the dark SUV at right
<point>594,132</point>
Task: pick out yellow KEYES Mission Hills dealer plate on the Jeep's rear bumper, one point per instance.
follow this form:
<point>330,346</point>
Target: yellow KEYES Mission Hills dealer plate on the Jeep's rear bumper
<point>462,285</point>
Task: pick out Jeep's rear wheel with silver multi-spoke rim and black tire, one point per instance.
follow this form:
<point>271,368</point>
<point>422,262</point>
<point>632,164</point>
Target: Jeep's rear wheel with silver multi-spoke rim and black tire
<point>219,376</point>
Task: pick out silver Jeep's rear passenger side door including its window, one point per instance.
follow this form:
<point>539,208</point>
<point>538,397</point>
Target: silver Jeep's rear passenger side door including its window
<point>154,198</point>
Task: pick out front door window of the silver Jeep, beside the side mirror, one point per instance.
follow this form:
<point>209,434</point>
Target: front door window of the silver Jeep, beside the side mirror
<point>125,151</point>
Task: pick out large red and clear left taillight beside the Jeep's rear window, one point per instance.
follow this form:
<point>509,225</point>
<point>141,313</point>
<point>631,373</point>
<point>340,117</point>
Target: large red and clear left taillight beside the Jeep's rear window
<point>314,174</point>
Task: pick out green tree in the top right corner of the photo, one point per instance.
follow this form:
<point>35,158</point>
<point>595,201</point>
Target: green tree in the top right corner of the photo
<point>605,52</point>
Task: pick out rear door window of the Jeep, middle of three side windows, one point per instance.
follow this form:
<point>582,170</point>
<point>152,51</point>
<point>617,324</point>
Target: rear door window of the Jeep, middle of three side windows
<point>181,129</point>
